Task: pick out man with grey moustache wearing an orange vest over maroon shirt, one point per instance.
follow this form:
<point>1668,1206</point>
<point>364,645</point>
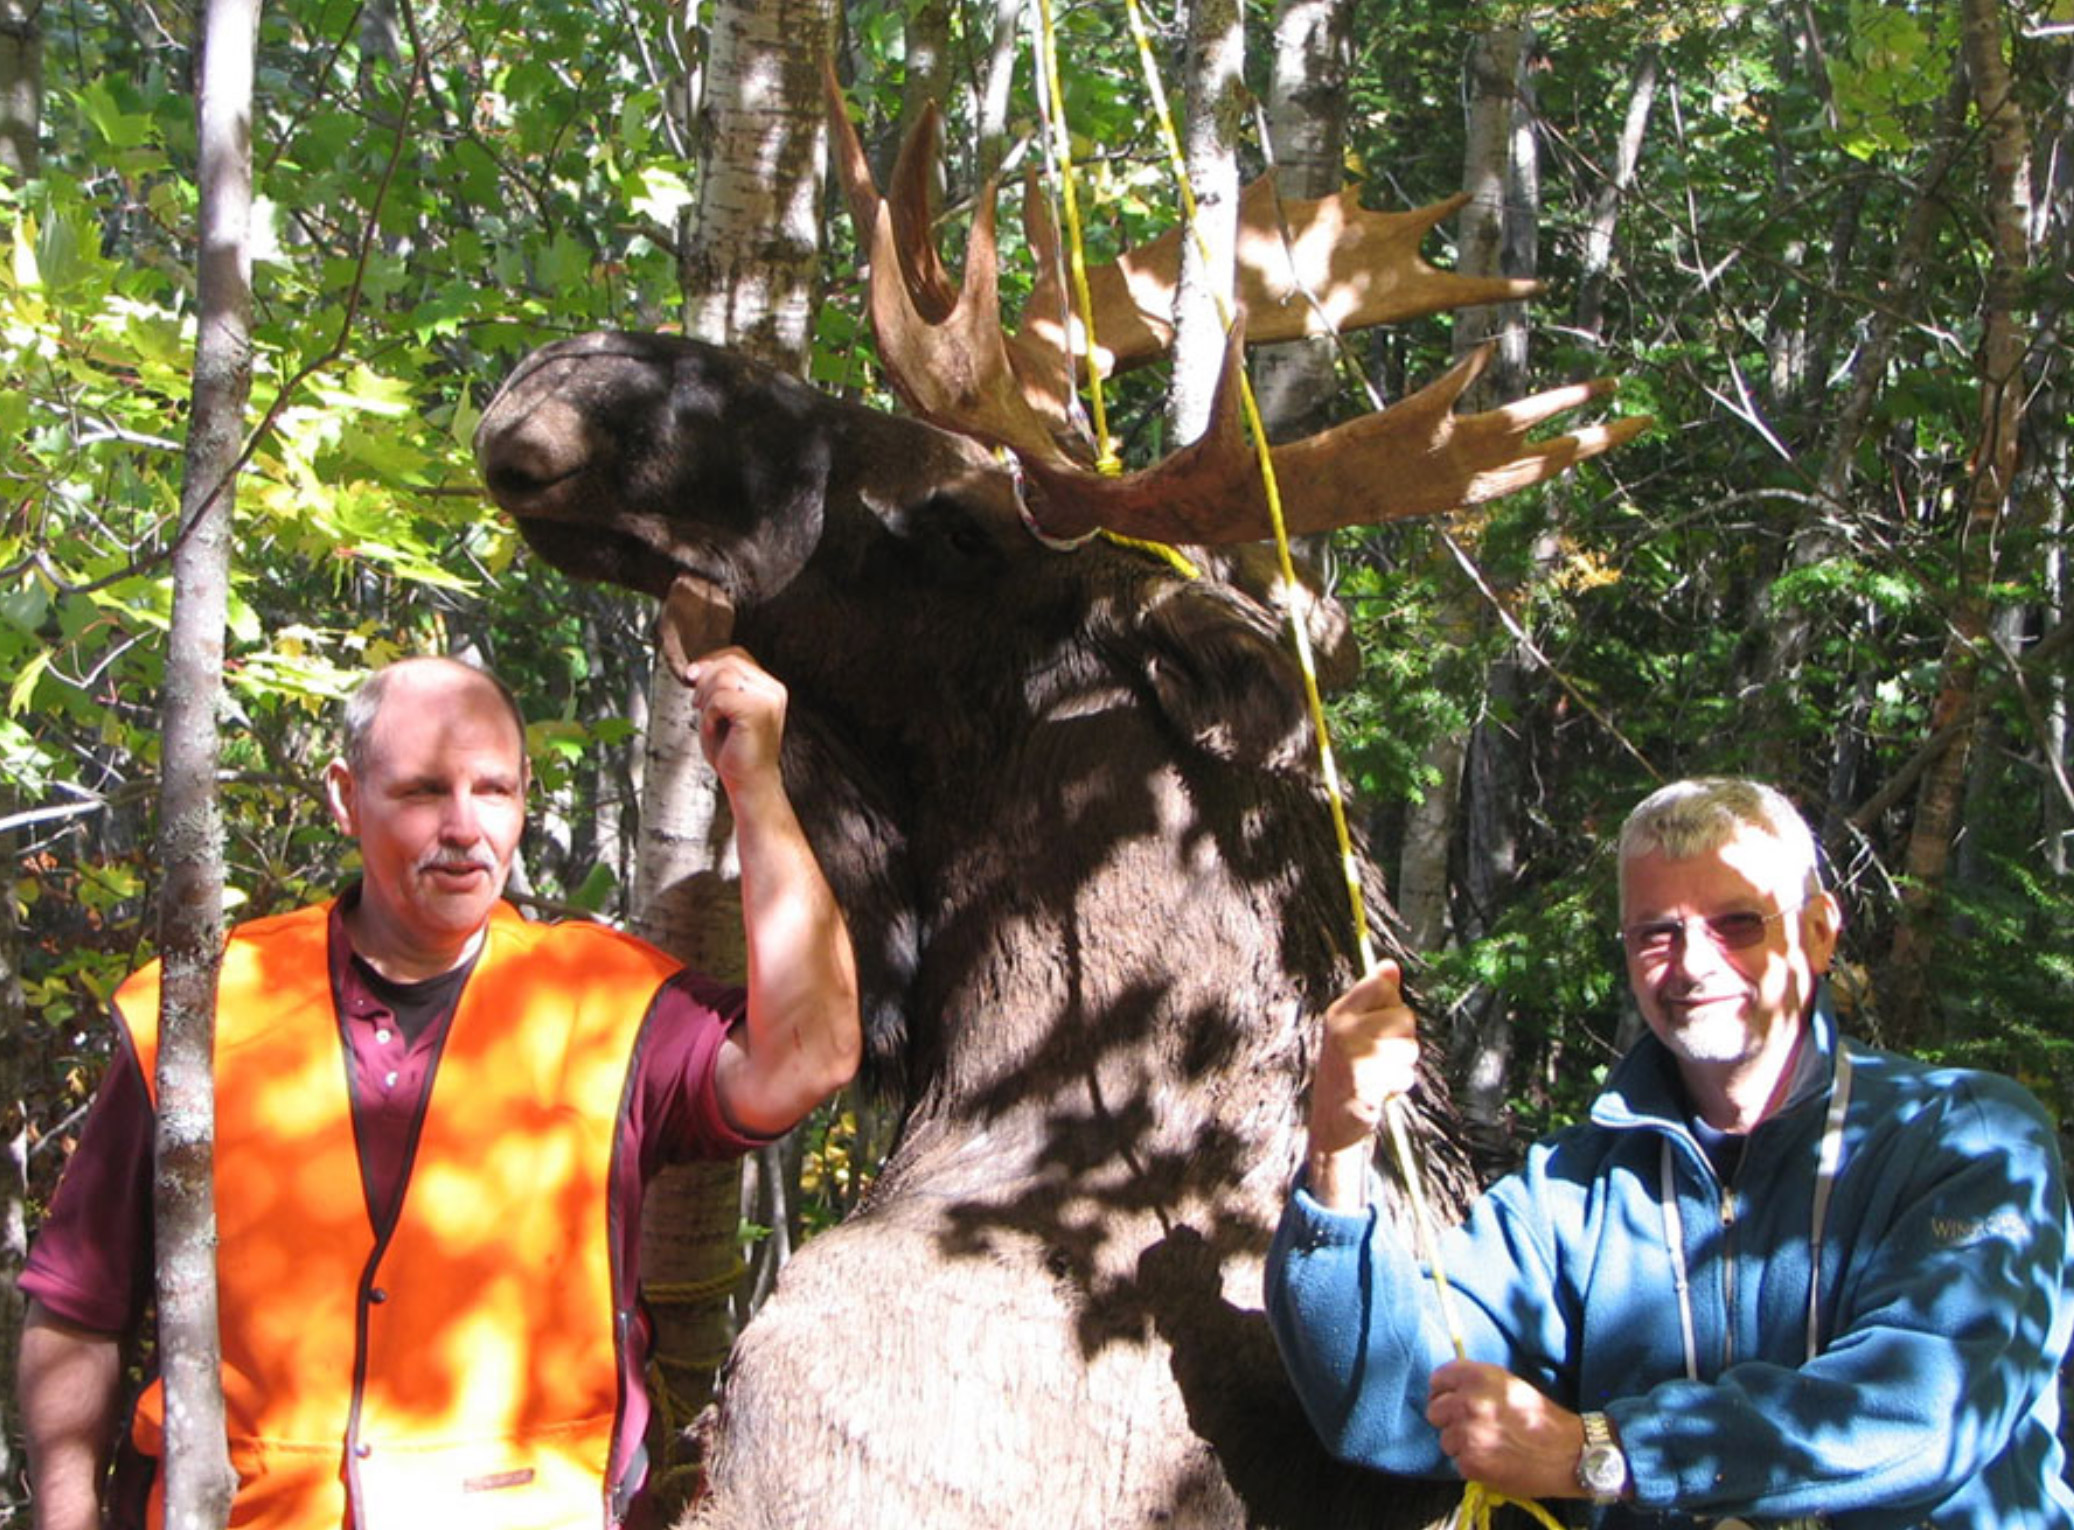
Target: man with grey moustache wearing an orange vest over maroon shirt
<point>435,1125</point>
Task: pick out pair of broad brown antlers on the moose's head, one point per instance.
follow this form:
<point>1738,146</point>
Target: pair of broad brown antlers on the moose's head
<point>947,356</point>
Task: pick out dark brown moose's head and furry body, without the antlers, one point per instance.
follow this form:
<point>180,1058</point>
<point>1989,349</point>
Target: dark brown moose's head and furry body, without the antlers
<point>1069,805</point>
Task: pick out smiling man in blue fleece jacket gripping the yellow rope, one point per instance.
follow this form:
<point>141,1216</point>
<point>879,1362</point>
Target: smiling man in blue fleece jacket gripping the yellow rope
<point>1776,1278</point>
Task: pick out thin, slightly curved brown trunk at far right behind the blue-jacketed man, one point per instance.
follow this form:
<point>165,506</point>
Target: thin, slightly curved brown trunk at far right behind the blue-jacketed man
<point>2005,337</point>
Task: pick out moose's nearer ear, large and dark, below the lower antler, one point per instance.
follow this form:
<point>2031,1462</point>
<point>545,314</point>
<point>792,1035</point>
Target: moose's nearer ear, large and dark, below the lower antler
<point>1225,677</point>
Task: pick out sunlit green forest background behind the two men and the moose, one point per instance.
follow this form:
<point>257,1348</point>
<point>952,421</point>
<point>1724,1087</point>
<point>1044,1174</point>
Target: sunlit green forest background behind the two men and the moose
<point>1789,231</point>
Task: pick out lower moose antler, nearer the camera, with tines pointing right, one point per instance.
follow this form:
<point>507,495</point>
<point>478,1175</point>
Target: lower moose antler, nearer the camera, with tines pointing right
<point>1413,459</point>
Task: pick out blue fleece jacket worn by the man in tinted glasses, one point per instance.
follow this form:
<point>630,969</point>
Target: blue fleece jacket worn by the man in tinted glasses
<point>1944,1303</point>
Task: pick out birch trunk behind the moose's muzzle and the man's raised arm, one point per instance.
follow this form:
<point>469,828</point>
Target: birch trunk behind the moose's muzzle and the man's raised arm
<point>752,281</point>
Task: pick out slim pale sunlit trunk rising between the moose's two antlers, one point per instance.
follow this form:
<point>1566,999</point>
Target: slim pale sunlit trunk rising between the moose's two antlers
<point>1210,148</point>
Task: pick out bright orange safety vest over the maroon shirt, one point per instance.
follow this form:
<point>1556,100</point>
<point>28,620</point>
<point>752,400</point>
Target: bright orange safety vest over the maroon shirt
<point>461,1373</point>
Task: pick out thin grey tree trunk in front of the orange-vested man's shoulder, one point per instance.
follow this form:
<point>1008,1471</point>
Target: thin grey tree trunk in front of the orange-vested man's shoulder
<point>192,905</point>
